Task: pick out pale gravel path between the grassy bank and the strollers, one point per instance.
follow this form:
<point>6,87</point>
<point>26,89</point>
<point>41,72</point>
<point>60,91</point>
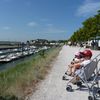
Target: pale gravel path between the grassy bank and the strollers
<point>53,87</point>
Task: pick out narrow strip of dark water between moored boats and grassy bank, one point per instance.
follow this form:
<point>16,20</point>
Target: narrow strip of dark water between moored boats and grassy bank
<point>11,64</point>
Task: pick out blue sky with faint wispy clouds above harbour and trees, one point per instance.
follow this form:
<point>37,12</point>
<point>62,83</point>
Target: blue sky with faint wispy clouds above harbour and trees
<point>22,20</point>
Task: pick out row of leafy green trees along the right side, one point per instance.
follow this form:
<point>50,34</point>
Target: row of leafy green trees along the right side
<point>90,29</point>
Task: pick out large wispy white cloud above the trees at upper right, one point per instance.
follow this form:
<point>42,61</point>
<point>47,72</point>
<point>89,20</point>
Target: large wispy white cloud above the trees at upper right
<point>89,7</point>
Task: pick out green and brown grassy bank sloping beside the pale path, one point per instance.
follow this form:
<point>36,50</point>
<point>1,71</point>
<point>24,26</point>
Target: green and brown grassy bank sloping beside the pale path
<point>17,82</point>
